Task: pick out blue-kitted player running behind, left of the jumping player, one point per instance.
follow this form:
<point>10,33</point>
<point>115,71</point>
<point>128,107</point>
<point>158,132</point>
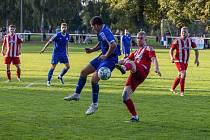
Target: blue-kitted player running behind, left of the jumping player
<point>60,53</point>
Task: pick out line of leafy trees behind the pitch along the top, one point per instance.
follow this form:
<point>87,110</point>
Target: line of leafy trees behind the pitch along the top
<point>118,14</point>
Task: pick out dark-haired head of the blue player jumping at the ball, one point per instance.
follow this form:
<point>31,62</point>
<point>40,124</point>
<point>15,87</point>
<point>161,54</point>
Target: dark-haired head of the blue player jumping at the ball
<point>96,23</point>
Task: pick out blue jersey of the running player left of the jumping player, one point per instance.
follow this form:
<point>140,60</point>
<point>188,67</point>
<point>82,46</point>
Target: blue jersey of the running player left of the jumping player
<point>60,43</point>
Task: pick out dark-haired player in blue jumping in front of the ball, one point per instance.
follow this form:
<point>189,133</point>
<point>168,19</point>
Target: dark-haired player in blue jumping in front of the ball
<point>107,58</point>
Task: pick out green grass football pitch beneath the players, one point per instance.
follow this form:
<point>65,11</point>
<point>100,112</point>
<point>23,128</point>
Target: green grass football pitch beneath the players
<point>31,110</point>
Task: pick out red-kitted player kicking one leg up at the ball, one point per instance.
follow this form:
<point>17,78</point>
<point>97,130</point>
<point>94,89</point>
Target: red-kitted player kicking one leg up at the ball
<point>138,63</point>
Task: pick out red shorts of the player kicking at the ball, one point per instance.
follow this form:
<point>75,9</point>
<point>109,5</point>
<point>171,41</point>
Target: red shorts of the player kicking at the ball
<point>135,79</point>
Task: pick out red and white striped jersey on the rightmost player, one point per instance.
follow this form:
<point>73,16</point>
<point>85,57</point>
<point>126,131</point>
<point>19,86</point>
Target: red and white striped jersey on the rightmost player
<point>182,48</point>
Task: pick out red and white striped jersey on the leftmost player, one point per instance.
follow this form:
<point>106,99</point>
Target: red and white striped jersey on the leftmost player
<point>12,45</point>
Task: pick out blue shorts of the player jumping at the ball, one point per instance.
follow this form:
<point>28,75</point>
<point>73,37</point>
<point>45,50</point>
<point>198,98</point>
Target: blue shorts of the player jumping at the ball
<point>98,63</point>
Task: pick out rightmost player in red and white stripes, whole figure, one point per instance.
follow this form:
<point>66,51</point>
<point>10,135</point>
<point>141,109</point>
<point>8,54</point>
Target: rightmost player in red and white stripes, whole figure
<point>182,47</point>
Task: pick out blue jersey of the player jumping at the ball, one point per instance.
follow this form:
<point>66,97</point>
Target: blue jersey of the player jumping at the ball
<point>105,38</point>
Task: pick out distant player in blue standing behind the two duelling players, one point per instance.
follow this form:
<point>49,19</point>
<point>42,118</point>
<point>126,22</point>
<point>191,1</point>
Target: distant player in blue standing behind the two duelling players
<point>126,43</point>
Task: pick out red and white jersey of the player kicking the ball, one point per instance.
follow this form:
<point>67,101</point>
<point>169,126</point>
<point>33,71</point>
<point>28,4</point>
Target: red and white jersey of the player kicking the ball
<point>142,57</point>
